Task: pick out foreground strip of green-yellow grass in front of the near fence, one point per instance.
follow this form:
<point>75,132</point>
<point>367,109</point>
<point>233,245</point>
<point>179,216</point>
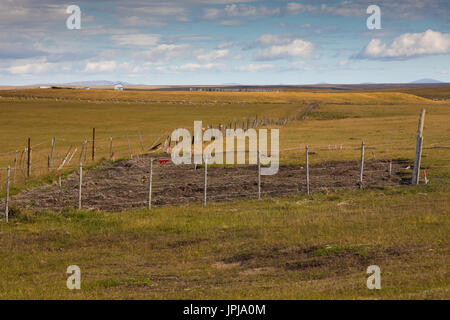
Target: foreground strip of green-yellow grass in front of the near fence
<point>297,247</point>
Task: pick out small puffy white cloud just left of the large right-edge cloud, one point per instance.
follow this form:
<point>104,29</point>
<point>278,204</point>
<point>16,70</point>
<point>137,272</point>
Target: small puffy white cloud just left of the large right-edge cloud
<point>294,49</point>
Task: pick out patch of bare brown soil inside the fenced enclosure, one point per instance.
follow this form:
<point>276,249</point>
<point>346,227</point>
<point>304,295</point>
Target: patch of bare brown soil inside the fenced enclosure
<point>124,185</point>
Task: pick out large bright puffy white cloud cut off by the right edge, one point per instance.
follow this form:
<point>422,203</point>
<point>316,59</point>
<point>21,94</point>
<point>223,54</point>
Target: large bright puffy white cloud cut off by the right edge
<point>408,45</point>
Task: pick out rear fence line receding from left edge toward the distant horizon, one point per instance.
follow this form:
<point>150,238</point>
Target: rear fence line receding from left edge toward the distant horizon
<point>44,157</point>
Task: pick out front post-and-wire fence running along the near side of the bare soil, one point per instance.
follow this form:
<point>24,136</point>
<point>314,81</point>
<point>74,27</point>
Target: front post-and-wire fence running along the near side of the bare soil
<point>152,180</point>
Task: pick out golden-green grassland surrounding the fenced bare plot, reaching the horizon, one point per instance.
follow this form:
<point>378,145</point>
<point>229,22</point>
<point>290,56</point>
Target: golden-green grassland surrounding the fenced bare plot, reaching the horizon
<point>295,247</point>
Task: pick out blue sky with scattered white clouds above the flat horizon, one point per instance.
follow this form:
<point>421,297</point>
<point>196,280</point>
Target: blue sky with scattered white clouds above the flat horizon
<point>182,42</point>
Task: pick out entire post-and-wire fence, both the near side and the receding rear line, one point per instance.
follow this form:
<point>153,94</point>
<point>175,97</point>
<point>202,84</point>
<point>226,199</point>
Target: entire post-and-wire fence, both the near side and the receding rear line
<point>104,188</point>
